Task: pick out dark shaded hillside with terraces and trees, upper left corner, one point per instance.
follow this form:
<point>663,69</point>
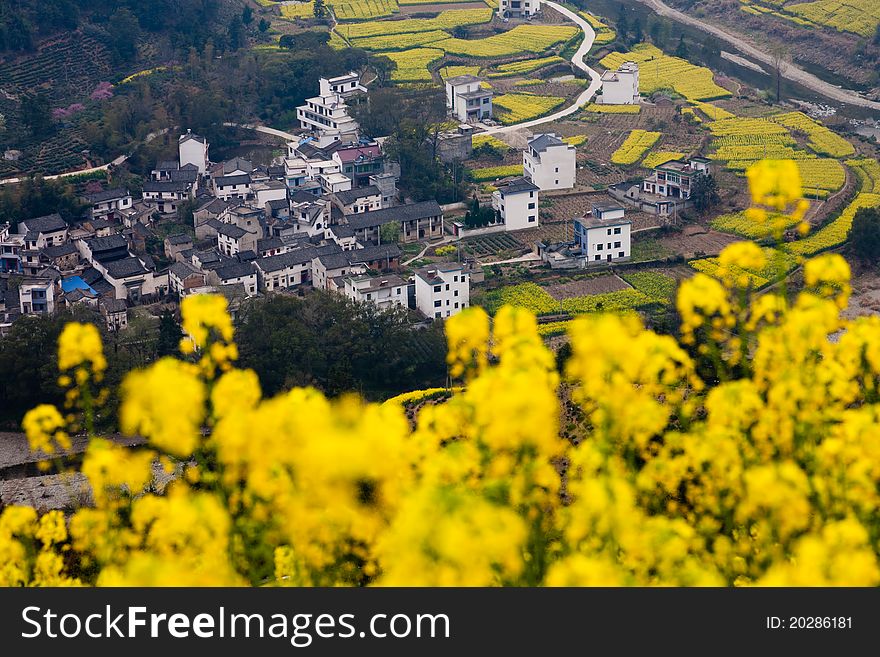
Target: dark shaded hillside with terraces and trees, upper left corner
<point>58,58</point>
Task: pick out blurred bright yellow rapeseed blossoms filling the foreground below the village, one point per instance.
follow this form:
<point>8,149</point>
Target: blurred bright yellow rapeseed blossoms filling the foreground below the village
<point>747,453</point>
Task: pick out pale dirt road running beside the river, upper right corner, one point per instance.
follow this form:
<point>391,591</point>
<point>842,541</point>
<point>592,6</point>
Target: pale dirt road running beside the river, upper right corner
<point>789,70</point>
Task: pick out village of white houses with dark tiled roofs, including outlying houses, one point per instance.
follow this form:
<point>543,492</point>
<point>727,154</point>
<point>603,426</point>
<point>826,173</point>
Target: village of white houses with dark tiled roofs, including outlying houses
<point>327,215</point>
